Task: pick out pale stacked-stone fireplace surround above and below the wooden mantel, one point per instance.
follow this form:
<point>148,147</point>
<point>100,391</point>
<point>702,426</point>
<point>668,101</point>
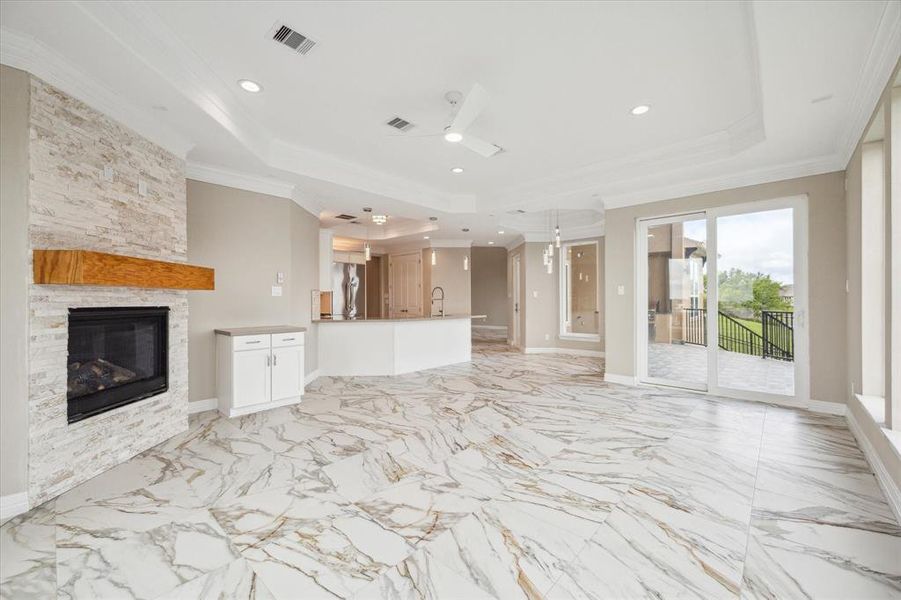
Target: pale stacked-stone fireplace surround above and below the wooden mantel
<point>73,204</point>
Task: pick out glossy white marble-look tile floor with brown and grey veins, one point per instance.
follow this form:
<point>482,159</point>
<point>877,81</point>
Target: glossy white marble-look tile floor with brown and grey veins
<point>515,476</point>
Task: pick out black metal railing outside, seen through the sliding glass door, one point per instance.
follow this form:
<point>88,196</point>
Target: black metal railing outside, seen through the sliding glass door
<point>776,341</point>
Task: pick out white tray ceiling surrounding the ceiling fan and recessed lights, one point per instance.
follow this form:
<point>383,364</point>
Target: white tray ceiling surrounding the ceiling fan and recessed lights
<point>741,92</point>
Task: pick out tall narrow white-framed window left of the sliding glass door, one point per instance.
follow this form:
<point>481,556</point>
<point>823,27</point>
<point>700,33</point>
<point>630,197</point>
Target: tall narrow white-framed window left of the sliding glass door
<point>579,291</point>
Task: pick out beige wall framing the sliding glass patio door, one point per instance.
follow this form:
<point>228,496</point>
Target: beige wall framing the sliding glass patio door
<point>826,251</point>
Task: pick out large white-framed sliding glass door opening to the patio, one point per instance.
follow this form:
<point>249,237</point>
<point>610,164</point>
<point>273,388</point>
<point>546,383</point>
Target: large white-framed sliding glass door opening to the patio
<point>735,275</point>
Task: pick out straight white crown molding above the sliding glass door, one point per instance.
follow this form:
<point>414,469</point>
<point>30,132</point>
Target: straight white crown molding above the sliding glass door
<point>805,168</point>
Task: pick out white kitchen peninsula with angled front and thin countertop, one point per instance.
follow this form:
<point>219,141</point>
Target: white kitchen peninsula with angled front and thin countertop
<point>349,347</point>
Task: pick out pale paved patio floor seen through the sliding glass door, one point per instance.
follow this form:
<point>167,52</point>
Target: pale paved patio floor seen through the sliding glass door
<point>687,363</point>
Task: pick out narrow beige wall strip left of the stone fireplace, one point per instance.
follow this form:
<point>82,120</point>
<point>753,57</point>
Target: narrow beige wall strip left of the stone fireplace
<point>14,277</point>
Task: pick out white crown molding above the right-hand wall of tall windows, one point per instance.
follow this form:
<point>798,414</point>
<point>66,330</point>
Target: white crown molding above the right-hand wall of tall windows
<point>879,66</point>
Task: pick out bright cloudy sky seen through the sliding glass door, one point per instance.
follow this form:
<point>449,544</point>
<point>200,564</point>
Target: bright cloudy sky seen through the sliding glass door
<point>753,242</point>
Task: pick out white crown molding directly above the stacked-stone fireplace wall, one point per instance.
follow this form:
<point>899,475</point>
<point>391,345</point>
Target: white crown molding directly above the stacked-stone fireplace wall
<point>29,54</point>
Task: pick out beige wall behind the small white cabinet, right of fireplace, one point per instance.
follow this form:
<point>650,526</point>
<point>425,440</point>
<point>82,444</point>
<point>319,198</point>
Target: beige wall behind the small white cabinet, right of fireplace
<point>248,238</point>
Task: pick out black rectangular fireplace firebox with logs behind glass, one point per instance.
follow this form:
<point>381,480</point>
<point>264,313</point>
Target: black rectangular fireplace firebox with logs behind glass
<point>116,356</point>
